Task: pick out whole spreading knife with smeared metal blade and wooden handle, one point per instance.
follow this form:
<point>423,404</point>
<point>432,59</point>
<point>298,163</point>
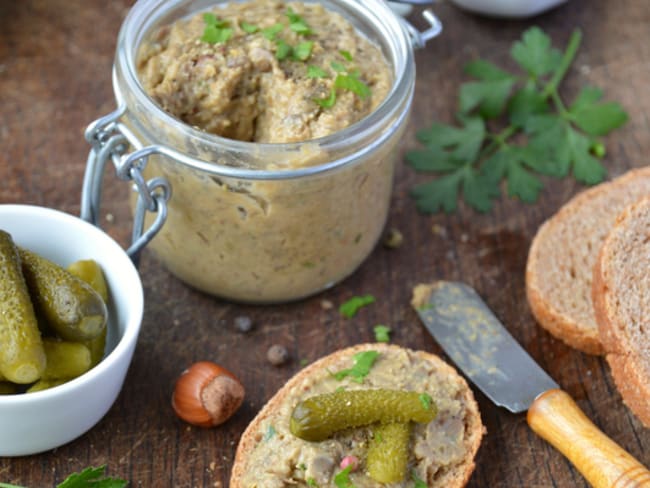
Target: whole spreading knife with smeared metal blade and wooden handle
<point>480,345</point>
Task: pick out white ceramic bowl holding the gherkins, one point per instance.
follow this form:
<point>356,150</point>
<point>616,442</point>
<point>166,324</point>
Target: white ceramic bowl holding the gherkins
<point>36,422</point>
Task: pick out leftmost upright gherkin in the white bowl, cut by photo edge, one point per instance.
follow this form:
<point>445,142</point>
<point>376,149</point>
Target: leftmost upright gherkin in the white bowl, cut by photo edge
<point>22,358</point>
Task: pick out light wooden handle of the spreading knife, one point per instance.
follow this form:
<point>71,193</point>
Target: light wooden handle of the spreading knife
<point>555,417</point>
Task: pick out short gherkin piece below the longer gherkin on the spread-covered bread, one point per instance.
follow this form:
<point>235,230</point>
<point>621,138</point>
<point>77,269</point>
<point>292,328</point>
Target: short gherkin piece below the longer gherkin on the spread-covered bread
<point>388,452</point>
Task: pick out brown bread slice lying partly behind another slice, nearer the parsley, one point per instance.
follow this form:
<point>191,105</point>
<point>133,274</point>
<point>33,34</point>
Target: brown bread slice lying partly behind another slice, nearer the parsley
<point>562,256</point>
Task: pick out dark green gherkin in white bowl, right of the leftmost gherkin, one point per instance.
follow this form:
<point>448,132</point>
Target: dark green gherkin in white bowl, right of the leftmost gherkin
<point>68,304</point>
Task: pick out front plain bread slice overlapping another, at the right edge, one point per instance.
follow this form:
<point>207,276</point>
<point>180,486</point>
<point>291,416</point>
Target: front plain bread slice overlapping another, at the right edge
<point>621,296</point>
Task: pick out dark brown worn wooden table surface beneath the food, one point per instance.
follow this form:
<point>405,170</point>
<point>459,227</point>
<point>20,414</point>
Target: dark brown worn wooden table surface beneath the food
<point>55,78</point>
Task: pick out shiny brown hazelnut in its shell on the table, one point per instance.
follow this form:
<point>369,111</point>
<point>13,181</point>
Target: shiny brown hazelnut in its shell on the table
<point>207,394</point>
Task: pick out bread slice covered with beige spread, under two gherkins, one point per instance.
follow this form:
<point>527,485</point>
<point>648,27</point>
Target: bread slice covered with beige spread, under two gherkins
<point>442,451</point>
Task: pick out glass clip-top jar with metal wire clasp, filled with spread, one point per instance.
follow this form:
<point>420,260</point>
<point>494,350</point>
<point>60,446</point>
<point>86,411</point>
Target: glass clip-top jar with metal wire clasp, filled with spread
<point>256,222</point>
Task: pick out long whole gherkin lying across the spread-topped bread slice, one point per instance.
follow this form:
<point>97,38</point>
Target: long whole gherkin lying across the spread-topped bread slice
<point>319,417</point>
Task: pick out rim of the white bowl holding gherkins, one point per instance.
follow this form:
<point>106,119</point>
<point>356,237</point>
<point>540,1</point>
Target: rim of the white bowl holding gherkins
<point>132,328</point>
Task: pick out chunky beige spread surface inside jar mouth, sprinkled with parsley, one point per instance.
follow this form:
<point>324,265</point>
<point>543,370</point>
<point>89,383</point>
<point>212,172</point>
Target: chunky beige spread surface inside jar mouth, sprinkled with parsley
<point>264,71</point>
